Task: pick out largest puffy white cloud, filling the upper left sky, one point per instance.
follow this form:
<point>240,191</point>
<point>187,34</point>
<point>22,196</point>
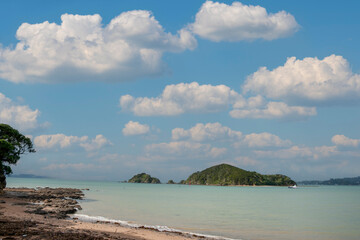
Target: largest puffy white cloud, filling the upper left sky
<point>81,49</point>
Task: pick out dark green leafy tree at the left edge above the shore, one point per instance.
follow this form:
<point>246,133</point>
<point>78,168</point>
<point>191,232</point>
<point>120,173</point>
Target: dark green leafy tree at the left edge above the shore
<point>12,145</point>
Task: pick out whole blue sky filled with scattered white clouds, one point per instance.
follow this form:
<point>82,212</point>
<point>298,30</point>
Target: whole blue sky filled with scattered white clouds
<point>109,90</point>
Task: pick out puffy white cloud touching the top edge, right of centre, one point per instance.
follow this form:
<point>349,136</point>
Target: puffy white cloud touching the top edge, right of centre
<point>236,22</point>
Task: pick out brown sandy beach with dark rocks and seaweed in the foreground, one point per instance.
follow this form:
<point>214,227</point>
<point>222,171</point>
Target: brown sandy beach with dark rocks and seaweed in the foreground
<point>44,214</point>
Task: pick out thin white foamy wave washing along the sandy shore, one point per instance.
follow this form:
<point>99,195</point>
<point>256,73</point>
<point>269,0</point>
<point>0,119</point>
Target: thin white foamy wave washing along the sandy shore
<point>99,219</point>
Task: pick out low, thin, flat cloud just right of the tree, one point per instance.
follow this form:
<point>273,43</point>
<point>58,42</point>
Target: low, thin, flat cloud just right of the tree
<point>62,141</point>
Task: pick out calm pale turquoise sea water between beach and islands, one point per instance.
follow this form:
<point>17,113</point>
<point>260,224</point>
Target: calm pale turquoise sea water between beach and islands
<point>325,212</point>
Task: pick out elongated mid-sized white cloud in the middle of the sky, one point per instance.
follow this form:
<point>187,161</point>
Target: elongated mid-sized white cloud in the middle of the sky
<point>181,98</point>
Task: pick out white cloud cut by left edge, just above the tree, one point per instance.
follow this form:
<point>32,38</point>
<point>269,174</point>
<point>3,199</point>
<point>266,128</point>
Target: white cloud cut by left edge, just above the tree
<point>21,117</point>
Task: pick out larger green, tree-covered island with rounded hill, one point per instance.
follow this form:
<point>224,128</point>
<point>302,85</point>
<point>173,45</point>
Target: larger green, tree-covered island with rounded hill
<point>225,175</point>
